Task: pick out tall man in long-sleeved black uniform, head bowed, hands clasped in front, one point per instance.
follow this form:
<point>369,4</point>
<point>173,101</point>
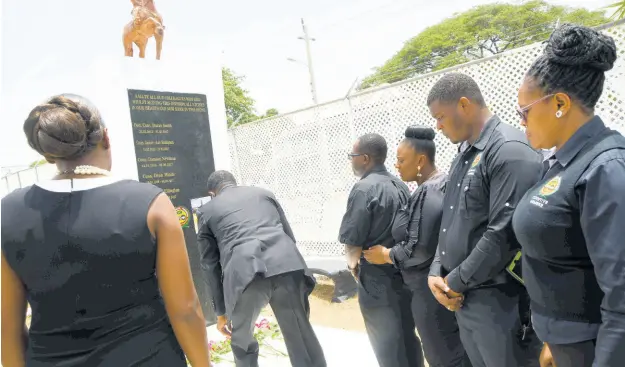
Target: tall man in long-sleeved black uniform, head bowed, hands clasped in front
<point>492,171</point>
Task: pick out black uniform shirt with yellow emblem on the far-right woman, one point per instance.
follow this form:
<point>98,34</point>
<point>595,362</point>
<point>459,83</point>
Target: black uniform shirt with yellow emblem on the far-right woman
<point>590,234</point>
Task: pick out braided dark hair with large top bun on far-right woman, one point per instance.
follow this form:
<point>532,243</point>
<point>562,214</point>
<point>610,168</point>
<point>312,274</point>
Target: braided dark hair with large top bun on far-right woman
<point>574,62</point>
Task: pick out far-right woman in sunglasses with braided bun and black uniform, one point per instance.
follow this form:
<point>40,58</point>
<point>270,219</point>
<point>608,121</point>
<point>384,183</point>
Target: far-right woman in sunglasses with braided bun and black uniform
<point>571,224</point>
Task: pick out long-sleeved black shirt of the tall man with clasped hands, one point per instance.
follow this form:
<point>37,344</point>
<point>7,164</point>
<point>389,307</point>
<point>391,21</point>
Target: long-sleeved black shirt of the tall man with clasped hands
<point>486,182</point>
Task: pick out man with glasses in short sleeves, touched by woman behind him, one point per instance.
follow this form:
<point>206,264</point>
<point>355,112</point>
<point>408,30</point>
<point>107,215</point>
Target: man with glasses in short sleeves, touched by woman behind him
<point>371,209</point>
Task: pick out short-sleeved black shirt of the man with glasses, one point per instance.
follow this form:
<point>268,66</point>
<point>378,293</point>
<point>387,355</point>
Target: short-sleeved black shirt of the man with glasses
<point>372,206</point>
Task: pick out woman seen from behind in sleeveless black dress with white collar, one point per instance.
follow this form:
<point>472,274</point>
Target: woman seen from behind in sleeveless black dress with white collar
<point>101,261</point>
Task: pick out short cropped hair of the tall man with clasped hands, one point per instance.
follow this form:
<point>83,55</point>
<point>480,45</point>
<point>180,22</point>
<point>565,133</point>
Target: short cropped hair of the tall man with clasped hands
<point>453,86</point>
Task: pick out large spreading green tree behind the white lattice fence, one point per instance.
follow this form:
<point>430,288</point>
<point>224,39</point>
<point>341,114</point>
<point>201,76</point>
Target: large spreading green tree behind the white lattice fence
<point>480,32</point>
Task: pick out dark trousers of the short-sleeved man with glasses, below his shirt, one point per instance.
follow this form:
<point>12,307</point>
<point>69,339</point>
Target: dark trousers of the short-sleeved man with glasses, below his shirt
<point>391,332</point>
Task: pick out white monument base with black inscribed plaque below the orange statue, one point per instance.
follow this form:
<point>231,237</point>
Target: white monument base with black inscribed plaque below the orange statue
<point>175,131</point>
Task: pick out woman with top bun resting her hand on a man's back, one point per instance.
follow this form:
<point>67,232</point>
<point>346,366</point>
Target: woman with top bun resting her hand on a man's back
<point>415,230</point>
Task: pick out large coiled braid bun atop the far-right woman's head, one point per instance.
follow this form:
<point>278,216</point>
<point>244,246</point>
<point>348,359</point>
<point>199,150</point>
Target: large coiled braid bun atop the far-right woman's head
<point>575,45</point>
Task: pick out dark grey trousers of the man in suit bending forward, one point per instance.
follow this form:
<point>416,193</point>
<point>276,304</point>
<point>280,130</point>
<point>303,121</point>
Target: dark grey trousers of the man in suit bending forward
<point>288,296</point>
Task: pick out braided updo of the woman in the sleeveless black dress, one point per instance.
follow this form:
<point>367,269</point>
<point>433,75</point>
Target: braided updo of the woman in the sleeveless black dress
<point>65,127</point>
